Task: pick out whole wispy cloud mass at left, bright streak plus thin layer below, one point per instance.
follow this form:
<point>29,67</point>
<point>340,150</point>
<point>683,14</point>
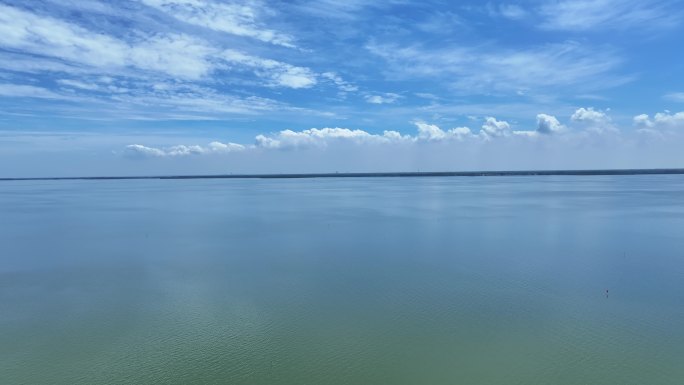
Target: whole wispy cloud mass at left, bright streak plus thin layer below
<point>162,72</point>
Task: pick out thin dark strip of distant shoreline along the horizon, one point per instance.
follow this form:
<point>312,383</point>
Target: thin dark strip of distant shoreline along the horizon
<point>658,171</point>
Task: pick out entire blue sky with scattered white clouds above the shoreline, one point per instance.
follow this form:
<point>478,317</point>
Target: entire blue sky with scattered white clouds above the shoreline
<point>140,87</point>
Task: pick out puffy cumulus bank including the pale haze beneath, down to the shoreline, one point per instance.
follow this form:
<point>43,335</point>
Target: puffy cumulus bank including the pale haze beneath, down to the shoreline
<point>496,145</point>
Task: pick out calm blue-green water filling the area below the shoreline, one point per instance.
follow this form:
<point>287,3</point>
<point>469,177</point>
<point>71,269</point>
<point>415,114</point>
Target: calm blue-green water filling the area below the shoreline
<point>497,280</point>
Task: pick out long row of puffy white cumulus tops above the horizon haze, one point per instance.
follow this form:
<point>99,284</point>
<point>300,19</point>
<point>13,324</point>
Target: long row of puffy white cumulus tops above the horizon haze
<point>588,125</point>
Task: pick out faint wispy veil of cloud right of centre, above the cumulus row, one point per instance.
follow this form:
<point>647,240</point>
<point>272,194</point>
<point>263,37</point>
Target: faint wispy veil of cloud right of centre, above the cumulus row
<point>487,69</point>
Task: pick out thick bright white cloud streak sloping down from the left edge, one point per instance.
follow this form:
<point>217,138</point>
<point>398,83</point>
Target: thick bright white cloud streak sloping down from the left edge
<point>176,56</point>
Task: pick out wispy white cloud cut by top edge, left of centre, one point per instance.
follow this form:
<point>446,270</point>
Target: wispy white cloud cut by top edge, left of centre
<point>237,18</point>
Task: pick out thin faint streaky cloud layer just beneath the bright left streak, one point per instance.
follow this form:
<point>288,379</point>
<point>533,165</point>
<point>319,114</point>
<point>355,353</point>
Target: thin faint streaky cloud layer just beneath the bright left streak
<point>133,99</point>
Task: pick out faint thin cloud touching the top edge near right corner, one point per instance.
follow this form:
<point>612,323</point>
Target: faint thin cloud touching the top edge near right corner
<point>583,15</point>
